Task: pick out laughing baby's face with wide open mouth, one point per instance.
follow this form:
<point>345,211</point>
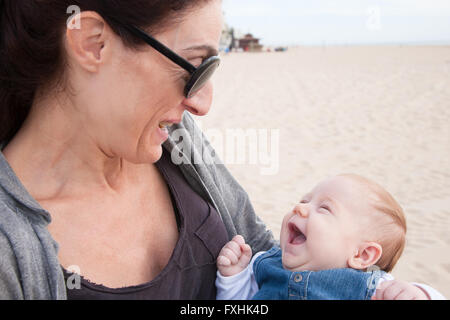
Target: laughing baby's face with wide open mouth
<point>324,229</point>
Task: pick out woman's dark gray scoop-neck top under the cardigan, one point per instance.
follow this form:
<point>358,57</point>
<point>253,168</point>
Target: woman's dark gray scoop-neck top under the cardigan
<point>191,271</point>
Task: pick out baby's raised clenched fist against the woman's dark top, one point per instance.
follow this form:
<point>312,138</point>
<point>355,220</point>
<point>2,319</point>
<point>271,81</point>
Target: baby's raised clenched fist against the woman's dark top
<point>234,257</point>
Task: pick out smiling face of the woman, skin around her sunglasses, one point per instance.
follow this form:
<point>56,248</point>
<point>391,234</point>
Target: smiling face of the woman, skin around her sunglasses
<point>143,90</point>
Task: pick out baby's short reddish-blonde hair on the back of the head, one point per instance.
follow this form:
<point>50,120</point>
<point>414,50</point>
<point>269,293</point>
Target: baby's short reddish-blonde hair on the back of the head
<point>391,232</point>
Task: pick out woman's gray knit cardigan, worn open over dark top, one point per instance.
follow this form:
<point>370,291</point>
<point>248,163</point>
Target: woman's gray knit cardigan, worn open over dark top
<point>29,266</point>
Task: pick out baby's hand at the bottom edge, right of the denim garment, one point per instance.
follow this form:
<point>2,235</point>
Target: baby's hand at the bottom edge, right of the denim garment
<point>399,290</point>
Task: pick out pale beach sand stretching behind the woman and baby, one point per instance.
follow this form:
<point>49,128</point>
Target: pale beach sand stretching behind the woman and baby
<point>382,112</point>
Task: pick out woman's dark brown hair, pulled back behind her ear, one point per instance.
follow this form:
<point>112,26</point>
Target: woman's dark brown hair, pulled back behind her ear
<point>31,46</point>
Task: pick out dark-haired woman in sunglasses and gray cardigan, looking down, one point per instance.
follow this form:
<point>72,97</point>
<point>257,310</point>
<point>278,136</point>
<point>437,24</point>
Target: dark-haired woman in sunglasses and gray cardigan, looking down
<point>85,173</point>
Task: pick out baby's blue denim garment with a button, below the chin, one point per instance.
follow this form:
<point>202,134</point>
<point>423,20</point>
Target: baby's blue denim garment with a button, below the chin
<point>276,283</point>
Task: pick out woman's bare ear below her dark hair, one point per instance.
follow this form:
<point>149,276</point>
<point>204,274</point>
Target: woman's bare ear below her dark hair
<point>85,44</point>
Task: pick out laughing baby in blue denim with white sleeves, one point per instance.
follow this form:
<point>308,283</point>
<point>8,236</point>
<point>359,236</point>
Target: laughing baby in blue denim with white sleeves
<point>329,243</point>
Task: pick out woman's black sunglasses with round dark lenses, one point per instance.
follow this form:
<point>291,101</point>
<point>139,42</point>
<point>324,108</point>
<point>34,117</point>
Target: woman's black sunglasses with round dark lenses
<point>198,76</point>
